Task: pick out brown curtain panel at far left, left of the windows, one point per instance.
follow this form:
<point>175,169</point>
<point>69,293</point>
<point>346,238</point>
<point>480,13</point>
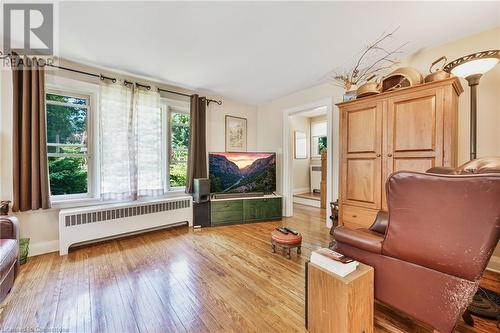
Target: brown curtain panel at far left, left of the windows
<point>31,183</point>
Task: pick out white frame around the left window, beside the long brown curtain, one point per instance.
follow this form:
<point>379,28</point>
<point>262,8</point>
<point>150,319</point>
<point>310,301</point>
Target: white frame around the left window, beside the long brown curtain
<point>79,89</point>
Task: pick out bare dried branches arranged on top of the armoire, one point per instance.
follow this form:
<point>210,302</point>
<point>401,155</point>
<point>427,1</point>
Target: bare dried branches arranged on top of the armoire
<point>374,59</point>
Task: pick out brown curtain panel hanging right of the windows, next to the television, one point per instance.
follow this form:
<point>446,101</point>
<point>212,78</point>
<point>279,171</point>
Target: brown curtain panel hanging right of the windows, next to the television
<point>197,157</point>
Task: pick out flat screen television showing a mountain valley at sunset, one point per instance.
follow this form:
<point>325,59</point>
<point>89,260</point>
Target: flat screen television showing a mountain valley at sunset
<point>242,172</point>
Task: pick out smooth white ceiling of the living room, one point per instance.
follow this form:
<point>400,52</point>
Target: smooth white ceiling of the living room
<point>253,52</point>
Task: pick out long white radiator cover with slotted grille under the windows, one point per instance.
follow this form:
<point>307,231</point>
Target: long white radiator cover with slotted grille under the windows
<point>85,224</point>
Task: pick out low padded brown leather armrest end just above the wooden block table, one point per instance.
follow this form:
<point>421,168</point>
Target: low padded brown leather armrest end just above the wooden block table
<point>360,238</point>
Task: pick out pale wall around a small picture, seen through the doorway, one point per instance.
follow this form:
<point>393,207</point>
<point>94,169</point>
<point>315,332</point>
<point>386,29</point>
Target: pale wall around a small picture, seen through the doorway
<point>300,167</point>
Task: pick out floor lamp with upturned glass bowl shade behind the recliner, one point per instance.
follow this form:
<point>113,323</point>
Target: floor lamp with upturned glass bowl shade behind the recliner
<point>472,67</point>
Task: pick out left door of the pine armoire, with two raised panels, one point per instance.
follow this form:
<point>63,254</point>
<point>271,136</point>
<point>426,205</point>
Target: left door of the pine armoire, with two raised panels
<point>361,154</point>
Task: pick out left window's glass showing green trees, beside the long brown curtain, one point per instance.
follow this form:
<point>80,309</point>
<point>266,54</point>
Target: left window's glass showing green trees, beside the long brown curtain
<point>67,144</point>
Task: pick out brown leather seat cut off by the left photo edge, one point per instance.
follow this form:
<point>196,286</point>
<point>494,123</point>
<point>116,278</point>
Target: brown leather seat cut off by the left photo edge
<point>9,253</point>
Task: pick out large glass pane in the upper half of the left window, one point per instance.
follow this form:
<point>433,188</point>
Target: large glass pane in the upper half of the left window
<point>66,124</point>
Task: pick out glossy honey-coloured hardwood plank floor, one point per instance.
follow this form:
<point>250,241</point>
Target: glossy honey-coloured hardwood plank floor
<point>223,279</point>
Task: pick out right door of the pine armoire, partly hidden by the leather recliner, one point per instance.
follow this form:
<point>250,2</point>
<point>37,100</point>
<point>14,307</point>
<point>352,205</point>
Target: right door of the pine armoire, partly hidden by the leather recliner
<point>414,127</point>
